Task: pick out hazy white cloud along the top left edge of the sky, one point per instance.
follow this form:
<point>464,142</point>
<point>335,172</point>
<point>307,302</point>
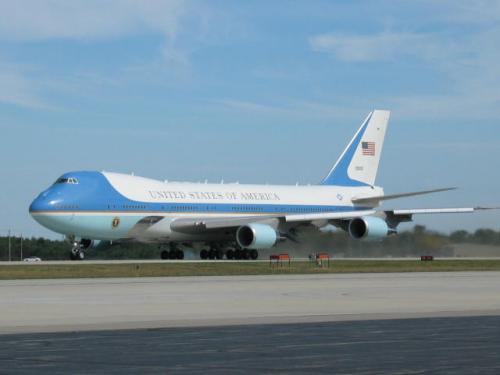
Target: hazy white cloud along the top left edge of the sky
<point>87,19</point>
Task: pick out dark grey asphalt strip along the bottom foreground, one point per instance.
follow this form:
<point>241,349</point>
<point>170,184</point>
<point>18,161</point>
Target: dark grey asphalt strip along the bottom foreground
<point>412,346</point>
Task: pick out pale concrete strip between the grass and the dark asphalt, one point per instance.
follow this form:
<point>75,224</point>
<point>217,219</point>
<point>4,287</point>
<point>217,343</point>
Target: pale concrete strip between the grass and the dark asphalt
<point>97,304</point>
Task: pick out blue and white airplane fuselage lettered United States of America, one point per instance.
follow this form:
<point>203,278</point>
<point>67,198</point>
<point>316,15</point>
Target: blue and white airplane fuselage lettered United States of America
<point>108,206</point>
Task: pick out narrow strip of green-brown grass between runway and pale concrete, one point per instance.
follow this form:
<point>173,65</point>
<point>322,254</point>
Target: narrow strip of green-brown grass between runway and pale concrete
<point>138,269</point>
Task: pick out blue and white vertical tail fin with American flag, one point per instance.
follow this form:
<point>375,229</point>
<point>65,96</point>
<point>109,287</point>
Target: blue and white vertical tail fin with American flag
<point>358,164</point>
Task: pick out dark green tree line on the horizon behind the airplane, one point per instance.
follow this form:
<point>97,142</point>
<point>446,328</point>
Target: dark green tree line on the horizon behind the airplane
<point>415,242</point>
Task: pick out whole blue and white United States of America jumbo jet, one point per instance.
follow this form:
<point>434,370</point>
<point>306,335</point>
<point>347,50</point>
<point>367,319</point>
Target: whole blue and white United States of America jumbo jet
<point>232,221</point>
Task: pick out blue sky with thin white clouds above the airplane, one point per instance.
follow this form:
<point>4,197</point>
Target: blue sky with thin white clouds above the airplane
<point>250,91</point>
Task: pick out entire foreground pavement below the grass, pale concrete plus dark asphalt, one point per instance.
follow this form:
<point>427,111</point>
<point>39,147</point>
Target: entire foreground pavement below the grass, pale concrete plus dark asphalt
<point>332,323</point>
